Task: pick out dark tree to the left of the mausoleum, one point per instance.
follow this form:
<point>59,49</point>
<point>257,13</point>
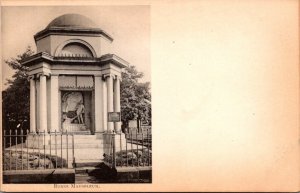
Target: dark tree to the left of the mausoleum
<point>15,99</point>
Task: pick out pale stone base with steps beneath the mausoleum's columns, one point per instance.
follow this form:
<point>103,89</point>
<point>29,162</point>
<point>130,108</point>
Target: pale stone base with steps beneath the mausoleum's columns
<point>87,148</point>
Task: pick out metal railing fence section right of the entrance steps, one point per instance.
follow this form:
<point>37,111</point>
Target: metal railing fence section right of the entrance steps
<point>134,149</point>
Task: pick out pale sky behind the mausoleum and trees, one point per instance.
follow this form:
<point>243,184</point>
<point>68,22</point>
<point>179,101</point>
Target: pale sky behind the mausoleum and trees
<point>128,25</point>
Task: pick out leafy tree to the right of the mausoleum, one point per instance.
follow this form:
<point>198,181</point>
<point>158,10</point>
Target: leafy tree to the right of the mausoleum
<point>135,97</point>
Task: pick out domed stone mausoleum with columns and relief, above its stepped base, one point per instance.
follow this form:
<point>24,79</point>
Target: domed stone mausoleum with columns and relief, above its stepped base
<point>74,78</point>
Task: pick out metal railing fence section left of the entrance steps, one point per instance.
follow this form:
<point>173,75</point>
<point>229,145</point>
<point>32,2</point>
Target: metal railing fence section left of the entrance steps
<point>42,150</point>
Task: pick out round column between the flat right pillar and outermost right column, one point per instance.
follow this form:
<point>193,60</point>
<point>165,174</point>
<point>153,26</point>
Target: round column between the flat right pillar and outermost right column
<point>110,108</point>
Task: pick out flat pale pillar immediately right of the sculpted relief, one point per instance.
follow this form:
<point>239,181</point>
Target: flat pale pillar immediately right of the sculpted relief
<point>98,104</point>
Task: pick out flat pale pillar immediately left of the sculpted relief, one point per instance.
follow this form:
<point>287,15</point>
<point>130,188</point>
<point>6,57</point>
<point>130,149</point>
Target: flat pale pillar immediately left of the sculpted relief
<point>54,118</point>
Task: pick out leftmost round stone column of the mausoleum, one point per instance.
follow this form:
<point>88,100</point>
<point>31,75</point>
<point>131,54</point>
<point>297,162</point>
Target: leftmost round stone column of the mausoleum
<point>32,105</point>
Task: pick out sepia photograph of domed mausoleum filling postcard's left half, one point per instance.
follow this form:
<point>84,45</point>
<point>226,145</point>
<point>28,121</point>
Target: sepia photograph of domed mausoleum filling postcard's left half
<point>76,94</point>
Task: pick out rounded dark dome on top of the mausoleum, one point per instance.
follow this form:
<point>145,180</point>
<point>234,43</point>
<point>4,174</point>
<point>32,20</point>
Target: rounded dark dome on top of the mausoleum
<point>72,21</point>
